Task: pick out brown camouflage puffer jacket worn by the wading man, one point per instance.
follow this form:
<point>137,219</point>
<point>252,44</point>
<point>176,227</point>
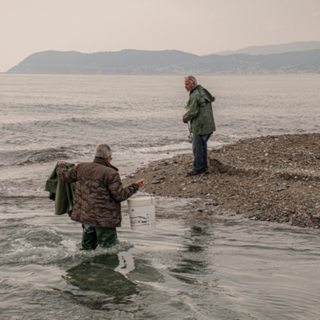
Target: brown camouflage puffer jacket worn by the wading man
<point>99,192</point>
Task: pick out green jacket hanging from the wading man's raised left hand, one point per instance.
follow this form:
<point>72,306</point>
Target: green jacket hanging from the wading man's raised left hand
<point>61,192</point>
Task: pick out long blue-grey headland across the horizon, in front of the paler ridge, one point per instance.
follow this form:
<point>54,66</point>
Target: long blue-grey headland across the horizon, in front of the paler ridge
<point>167,62</point>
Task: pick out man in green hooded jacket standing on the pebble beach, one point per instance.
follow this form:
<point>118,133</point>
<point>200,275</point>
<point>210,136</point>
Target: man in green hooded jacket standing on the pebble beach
<point>202,123</point>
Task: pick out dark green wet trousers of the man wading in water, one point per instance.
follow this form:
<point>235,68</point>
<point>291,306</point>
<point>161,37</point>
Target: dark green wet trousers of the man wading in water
<point>92,236</point>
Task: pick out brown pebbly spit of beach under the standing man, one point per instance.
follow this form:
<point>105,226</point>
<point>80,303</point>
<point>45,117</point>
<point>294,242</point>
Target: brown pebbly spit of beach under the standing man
<point>269,178</point>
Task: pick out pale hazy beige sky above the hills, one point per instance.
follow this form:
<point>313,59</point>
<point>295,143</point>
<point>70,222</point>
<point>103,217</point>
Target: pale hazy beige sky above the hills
<point>200,27</point>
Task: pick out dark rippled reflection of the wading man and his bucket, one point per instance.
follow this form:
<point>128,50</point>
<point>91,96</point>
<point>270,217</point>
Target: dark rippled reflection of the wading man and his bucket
<point>115,275</point>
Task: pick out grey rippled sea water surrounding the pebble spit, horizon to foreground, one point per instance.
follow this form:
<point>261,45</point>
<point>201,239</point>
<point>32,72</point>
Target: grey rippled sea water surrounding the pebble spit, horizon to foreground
<point>219,268</point>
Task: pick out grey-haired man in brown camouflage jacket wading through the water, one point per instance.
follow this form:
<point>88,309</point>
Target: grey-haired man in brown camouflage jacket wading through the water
<point>99,192</point>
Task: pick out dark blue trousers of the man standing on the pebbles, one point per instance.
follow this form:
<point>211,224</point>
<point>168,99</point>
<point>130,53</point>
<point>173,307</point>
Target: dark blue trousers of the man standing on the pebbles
<point>200,152</point>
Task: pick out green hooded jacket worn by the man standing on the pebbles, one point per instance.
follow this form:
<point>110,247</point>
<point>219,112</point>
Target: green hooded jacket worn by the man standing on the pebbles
<point>200,112</point>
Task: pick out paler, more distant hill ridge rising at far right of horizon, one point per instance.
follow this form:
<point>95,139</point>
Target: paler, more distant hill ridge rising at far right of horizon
<point>275,48</point>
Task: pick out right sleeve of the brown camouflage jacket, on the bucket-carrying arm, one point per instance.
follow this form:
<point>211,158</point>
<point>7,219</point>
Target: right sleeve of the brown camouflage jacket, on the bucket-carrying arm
<point>116,189</point>
